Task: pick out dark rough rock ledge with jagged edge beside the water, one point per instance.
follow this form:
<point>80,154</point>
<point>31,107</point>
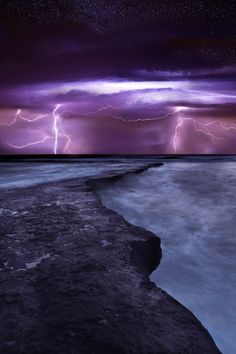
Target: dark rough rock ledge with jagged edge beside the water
<point>74,279</point>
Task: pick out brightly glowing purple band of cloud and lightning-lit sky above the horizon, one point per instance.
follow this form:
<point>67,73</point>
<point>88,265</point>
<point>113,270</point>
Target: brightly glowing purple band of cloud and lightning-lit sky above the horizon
<point>120,116</point>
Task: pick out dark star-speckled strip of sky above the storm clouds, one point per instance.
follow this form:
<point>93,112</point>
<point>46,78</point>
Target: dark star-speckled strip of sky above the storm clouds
<point>214,18</point>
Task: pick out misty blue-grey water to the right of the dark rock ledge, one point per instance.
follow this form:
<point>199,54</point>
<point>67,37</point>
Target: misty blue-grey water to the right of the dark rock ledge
<point>192,207</point>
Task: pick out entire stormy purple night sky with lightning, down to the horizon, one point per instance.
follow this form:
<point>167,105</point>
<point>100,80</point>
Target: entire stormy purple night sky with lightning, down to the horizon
<point>107,77</point>
